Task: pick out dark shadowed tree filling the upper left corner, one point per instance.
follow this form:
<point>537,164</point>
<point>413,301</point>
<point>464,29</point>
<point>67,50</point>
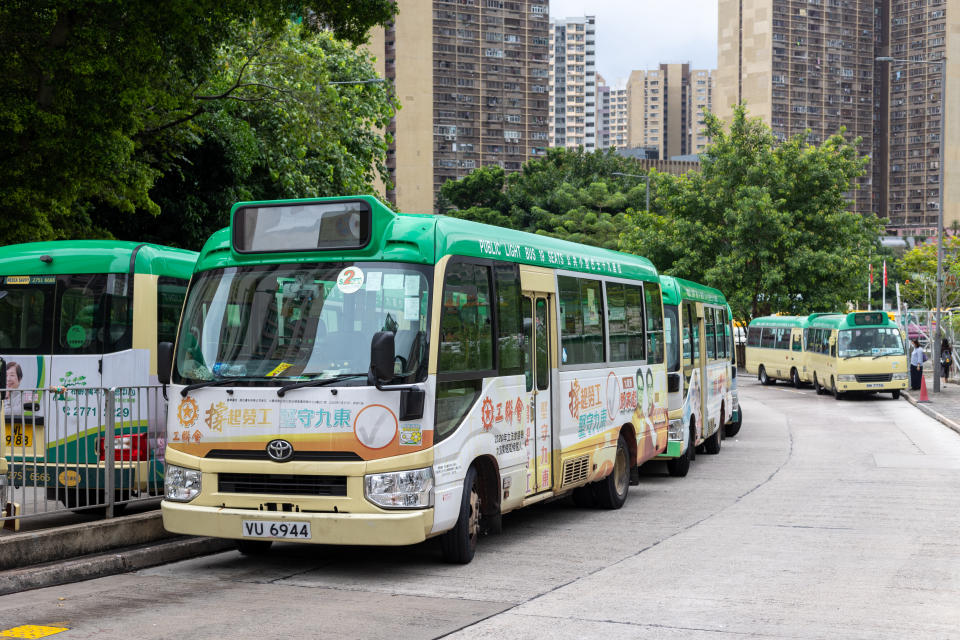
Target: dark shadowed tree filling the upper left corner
<point>99,97</point>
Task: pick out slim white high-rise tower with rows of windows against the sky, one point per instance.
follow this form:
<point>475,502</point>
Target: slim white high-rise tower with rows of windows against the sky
<point>573,83</point>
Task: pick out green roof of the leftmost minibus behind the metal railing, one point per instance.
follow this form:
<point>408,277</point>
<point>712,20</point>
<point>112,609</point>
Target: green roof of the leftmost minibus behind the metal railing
<point>94,256</point>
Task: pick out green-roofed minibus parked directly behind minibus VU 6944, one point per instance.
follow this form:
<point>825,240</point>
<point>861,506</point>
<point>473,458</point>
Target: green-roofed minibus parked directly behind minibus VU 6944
<point>700,373</point>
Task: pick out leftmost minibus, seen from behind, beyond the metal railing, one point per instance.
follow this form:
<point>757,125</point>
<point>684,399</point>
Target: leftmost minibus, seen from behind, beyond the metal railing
<point>77,317</point>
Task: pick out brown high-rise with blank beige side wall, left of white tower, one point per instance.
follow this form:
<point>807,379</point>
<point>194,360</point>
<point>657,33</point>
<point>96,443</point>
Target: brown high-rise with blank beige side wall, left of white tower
<point>473,79</point>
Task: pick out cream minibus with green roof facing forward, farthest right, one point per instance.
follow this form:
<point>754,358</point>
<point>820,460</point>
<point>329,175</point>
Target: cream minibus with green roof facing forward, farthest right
<point>862,351</point>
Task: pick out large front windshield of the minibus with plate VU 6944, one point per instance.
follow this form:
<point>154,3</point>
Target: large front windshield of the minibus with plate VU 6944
<point>302,321</point>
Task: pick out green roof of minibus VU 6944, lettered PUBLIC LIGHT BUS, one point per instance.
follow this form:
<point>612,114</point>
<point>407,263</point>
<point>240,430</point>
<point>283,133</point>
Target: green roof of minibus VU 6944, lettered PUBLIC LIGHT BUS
<point>426,238</point>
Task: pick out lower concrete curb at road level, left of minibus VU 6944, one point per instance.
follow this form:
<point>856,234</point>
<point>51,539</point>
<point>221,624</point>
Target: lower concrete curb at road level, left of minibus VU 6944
<point>98,566</point>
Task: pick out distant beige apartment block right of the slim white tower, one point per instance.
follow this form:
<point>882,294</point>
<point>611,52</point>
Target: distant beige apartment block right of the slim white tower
<point>665,109</point>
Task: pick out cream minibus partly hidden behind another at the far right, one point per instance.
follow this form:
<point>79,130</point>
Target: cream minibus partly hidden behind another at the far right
<point>774,349</point>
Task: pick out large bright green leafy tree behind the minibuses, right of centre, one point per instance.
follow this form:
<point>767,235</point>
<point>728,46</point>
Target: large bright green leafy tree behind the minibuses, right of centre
<point>765,223</point>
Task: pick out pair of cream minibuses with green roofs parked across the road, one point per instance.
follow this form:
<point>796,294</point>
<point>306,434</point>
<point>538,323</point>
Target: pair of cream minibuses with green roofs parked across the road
<point>838,353</point>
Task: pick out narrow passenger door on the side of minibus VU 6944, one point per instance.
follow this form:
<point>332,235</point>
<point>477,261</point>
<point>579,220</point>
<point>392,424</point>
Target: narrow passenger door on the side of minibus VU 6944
<point>539,437</point>
